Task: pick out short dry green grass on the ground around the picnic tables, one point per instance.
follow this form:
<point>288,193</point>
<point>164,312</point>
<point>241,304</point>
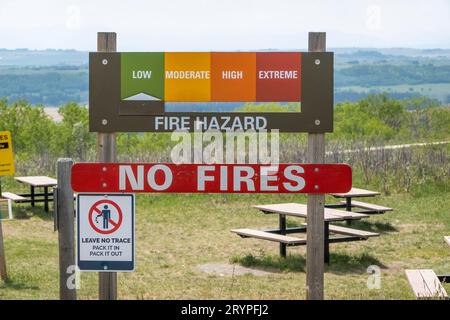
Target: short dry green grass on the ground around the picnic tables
<point>176,233</point>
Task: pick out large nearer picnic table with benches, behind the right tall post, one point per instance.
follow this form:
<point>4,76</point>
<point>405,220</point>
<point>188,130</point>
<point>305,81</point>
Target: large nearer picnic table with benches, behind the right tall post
<point>282,235</point>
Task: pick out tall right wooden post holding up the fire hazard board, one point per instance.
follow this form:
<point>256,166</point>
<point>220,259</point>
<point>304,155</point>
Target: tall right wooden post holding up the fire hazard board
<point>316,202</point>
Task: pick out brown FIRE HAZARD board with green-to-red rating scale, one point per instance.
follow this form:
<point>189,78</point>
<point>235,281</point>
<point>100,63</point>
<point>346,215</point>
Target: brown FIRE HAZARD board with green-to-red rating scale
<point>128,91</point>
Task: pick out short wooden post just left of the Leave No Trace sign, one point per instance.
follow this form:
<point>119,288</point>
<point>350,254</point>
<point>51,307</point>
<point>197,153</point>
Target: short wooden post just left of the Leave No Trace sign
<point>66,233</point>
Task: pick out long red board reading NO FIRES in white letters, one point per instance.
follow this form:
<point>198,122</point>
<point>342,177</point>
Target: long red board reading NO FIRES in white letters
<point>217,178</point>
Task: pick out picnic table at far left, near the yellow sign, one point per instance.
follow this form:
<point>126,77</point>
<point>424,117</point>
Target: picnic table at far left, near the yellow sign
<point>34,182</point>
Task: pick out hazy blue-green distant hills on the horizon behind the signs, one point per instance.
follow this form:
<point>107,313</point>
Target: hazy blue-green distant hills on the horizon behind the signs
<point>54,77</point>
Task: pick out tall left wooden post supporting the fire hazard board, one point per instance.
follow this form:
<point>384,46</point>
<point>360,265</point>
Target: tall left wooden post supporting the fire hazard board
<point>106,152</point>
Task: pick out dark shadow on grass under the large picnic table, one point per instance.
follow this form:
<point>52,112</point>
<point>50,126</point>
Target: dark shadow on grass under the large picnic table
<point>339,263</point>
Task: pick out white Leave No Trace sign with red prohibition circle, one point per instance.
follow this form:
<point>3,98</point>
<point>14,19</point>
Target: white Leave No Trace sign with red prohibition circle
<point>105,231</point>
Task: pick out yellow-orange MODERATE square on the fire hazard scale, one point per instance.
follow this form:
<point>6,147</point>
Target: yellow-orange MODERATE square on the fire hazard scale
<point>188,76</point>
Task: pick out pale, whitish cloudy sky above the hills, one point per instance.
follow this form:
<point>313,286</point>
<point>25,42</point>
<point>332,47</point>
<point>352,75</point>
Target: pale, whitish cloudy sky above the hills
<point>213,25</point>
